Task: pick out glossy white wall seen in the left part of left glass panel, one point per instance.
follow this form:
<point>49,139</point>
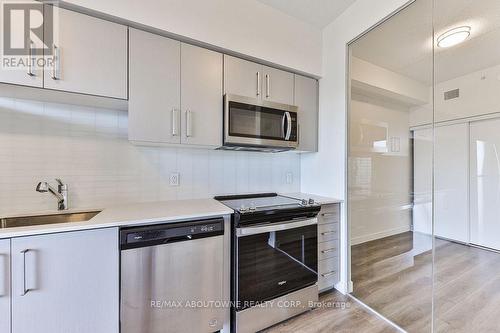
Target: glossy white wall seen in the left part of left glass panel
<point>380,182</point>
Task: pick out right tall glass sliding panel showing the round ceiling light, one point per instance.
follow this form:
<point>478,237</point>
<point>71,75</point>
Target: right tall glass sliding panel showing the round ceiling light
<point>467,166</point>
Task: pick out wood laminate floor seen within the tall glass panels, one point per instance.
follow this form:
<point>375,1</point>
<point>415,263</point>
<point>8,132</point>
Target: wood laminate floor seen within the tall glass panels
<point>393,275</point>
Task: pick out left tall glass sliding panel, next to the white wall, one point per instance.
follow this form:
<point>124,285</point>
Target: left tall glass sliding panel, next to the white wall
<point>390,147</point>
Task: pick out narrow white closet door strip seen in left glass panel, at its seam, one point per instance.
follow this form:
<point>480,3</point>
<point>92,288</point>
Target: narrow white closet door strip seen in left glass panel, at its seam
<point>422,181</point>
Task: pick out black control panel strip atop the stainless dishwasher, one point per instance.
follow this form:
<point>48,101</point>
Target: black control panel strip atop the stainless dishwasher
<point>170,233</point>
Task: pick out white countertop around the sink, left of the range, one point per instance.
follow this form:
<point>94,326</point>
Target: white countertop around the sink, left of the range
<point>129,215</point>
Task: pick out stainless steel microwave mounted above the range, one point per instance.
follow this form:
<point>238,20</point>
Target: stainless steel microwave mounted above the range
<point>253,124</point>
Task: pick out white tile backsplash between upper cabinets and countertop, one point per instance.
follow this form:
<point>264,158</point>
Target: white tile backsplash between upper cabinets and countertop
<point>89,150</point>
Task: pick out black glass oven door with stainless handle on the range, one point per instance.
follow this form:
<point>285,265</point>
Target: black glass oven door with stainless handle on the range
<point>274,260</point>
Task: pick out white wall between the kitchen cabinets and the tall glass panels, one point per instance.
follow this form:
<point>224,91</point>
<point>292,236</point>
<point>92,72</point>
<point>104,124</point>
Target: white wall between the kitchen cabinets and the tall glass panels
<point>324,172</point>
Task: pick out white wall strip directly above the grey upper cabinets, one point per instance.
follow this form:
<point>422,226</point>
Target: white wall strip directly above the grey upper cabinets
<point>244,26</point>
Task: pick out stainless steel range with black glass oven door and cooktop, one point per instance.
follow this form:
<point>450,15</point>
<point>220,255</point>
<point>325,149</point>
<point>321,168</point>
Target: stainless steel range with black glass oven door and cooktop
<point>274,259</point>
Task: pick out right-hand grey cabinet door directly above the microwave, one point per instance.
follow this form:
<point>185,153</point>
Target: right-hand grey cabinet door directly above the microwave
<point>277,86</point>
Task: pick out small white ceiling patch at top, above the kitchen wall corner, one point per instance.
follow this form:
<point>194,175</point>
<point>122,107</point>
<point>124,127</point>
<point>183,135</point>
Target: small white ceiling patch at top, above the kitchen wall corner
<point>316,12</point>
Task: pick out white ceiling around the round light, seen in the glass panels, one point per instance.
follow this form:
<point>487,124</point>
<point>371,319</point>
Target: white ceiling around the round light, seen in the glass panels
<point>403,44</point>
